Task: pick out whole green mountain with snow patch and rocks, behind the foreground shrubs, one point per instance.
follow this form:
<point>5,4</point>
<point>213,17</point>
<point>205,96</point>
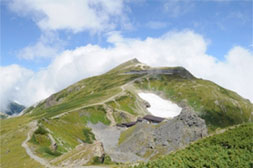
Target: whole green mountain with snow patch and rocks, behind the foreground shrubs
<point>83,124</point>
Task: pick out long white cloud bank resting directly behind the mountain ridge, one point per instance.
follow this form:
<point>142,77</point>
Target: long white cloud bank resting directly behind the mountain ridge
<point>184,48</point>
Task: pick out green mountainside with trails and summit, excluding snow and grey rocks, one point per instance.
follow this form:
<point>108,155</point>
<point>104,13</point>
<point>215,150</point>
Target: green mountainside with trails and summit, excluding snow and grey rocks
<point>58,126</point>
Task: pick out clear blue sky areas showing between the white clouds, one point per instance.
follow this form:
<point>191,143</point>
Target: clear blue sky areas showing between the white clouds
<point>224,23</point>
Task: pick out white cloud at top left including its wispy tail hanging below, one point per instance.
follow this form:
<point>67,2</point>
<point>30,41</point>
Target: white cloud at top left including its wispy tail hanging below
<point>93,16</point>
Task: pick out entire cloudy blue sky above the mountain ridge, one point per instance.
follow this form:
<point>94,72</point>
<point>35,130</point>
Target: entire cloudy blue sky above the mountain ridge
<point>47,45</point>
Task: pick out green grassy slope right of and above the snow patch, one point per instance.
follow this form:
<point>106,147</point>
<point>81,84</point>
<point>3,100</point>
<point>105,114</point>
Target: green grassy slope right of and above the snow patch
<point>218,106</point>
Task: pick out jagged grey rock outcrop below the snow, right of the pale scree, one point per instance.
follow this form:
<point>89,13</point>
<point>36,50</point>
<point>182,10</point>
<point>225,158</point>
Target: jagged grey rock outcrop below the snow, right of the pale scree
<point>146,140</point>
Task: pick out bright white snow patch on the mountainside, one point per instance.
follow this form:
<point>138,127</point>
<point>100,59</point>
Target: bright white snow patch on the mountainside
<point>160,107</point>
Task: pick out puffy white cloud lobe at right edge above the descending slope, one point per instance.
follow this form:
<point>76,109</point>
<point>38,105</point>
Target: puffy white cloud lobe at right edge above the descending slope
<point>236,72</point>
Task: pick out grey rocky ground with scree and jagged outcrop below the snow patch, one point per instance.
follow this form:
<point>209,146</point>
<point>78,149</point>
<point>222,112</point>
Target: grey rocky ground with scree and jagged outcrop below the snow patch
<point>146,140</point>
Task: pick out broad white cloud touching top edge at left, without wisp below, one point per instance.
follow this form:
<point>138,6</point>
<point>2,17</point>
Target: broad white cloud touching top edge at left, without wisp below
<point>75,15</point>
